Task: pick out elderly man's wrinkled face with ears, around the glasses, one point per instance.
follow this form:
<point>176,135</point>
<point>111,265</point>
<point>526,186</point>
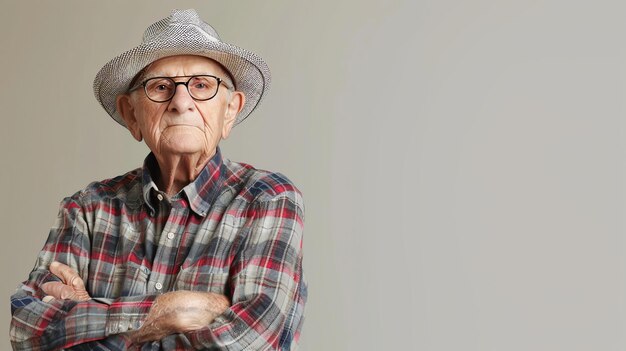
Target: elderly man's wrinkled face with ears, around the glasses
<point>182,125</point>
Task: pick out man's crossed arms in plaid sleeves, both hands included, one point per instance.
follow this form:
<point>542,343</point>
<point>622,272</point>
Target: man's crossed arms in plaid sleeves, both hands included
<point>54,311</point>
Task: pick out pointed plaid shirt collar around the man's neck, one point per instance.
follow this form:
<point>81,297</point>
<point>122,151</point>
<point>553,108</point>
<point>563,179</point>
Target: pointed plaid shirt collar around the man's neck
<point>201,193</point>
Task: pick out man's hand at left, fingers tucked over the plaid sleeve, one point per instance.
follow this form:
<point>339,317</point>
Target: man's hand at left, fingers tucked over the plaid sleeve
<point>71,286</point>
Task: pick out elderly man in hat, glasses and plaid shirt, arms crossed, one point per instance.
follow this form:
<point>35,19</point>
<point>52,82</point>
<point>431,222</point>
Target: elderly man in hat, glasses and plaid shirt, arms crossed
<point>191,251</point>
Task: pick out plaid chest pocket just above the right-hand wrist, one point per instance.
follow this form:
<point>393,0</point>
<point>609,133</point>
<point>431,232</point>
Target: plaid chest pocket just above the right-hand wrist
<point>203,279</point>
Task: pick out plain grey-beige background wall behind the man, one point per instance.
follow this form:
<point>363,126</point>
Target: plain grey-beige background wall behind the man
<point>462,162</point>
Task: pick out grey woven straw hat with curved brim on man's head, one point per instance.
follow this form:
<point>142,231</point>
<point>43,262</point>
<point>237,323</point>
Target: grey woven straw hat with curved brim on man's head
<point>182,33</point>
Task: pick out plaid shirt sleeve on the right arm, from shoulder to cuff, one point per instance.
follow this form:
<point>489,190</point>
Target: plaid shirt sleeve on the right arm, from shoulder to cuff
<point>267,284</point>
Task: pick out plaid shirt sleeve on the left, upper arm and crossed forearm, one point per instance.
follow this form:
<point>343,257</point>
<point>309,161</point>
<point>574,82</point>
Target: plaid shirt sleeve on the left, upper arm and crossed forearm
<point>60,324</point>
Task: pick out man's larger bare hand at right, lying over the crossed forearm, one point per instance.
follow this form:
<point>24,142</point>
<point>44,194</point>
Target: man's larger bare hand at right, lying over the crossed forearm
<point>178,312</point>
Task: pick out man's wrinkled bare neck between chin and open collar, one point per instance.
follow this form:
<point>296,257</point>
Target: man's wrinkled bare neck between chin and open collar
<point>176,171</point>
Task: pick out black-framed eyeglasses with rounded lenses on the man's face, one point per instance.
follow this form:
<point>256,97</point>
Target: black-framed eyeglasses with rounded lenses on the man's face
<point>200,87</point>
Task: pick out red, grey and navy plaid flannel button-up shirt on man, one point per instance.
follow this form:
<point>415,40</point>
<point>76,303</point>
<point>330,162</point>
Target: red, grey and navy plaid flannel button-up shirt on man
<point>234,230</point>
